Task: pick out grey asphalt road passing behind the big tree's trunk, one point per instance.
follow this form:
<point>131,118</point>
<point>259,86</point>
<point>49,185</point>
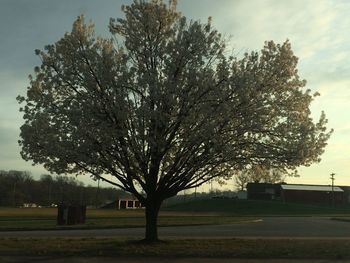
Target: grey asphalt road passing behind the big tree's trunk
<point>274,227</point>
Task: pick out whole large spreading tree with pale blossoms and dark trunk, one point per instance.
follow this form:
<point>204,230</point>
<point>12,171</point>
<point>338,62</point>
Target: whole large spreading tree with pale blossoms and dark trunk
<point>162,109</point>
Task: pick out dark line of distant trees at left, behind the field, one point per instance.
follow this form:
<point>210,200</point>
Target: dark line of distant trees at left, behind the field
<point>19,187</point>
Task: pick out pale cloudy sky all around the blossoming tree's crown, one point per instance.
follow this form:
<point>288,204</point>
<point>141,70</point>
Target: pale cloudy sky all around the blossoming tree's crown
<point>319,32</point>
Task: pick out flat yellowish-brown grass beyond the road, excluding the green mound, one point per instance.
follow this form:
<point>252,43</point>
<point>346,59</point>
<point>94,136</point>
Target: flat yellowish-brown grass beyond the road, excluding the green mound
<point>45,218</point>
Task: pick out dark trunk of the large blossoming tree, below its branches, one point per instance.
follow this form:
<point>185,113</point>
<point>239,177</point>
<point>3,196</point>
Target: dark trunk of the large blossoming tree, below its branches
<point>152,209</point>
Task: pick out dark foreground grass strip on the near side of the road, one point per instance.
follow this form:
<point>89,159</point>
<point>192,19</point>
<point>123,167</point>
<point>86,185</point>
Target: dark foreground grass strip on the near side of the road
<point>222,248</point>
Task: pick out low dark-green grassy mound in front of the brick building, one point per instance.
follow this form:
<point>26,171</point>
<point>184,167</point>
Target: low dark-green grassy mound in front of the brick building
<point>258,208</point>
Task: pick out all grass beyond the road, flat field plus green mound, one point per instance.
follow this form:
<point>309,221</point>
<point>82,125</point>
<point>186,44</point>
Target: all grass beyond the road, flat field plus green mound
<point>200,212</point>
